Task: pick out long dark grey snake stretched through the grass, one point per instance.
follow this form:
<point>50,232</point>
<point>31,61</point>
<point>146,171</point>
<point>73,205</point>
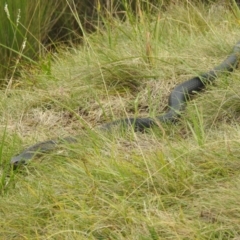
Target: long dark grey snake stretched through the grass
<point>176,104</point>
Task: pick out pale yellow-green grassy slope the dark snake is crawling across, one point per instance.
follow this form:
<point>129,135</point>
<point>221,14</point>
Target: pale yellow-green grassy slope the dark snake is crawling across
<point>179,182</point>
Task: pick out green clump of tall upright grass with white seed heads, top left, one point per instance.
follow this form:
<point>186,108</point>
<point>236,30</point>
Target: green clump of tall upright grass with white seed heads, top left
<point>24,23</point>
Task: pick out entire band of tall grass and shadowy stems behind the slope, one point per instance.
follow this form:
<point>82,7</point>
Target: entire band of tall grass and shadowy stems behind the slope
<point>41,24</point>
